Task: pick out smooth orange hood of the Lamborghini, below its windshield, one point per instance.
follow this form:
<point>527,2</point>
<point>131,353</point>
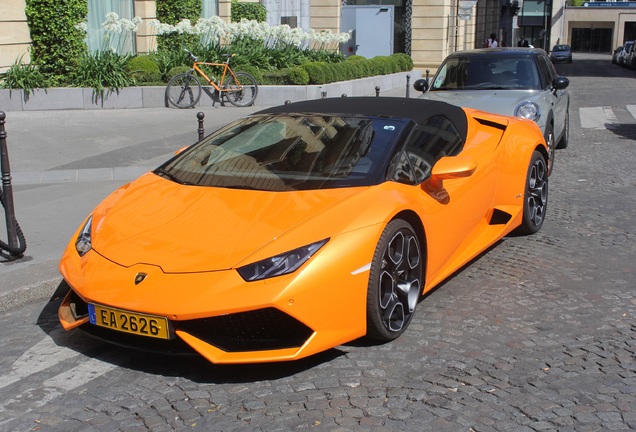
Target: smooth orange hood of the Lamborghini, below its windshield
<point>193,229</point>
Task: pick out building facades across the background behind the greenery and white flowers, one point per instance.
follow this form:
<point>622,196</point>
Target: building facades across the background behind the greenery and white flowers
<point>427,30</point>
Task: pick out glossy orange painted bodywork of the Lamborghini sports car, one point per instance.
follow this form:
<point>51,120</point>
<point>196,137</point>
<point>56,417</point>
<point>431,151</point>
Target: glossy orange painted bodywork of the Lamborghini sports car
<point>191,260</point>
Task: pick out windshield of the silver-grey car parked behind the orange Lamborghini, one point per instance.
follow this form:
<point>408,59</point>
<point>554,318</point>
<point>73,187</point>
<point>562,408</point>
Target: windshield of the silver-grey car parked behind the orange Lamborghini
<point>483,72</point>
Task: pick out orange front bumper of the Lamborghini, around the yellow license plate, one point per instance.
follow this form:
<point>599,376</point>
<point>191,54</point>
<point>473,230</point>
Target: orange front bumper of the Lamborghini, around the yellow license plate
<point>224,318</point>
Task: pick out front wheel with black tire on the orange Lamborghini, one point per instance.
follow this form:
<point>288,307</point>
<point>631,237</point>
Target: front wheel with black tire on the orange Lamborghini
<point>395,282</point>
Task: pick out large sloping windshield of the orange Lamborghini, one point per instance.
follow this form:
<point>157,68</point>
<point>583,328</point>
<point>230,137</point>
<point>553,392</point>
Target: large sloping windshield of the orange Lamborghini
<point>285,152</point>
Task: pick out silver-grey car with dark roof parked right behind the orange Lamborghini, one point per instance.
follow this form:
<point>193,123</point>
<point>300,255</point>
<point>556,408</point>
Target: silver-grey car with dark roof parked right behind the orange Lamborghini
<point>519,82</point>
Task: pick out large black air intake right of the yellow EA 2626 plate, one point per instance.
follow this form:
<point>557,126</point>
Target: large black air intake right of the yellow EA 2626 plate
<point>263,329</point>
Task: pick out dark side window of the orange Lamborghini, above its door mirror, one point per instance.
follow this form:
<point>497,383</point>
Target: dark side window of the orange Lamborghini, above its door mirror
<point>430,142</point>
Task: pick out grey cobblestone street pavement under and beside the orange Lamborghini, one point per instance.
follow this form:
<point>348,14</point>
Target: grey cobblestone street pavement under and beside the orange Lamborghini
<point>537,334</point>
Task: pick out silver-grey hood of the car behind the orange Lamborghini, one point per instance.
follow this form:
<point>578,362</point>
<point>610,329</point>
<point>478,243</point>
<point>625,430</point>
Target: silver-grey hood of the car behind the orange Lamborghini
<point>501,102</point>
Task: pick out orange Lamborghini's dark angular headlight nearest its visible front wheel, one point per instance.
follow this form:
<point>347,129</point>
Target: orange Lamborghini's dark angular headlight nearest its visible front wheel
<point>280,264</point>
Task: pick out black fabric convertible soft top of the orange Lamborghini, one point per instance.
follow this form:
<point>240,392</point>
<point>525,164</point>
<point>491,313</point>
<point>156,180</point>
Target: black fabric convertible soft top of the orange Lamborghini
<point>417,110</point>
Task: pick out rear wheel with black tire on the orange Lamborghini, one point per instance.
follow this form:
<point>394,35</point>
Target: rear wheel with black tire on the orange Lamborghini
<point>535,199</point>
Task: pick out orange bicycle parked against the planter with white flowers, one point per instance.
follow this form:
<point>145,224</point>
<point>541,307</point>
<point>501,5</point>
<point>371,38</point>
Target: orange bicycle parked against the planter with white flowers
<point>239,88</point>
